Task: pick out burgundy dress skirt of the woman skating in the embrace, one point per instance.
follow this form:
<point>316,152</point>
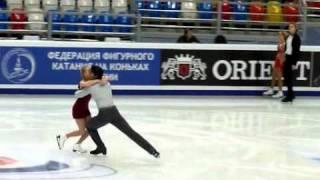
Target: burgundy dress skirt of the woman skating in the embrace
<point>80,108</point>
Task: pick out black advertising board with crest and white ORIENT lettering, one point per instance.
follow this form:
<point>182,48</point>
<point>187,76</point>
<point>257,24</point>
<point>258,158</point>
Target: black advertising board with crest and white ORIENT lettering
<point>225,68</point>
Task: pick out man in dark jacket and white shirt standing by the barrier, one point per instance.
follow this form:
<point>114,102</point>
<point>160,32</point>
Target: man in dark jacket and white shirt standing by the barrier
<point>292,55</point>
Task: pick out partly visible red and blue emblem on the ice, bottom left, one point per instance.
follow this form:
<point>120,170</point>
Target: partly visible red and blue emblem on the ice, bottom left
<point>20,163</point>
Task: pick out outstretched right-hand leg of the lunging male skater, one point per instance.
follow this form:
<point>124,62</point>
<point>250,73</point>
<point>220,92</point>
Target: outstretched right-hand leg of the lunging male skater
<point>123,126</point>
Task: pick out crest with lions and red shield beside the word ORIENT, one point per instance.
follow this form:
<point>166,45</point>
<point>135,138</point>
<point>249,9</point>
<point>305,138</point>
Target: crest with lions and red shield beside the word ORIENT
<point>184,67</point>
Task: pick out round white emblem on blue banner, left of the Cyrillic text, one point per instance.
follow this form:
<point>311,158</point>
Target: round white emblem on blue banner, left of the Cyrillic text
<point>18,65</point>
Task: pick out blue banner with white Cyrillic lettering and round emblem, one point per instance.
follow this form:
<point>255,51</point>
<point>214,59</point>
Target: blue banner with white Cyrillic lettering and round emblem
<point>46,65</point>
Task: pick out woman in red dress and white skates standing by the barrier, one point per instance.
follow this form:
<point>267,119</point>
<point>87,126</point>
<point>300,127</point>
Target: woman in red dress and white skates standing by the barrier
<point>277,69</point>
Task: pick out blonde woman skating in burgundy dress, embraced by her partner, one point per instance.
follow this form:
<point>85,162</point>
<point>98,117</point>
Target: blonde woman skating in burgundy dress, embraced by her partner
<point>80,112</point>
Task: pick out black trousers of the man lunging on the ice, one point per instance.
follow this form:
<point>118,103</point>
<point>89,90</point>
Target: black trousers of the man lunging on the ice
<point>112,115</point>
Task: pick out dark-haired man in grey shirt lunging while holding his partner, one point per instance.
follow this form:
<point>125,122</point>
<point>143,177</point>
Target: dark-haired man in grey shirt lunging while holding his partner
<point>108,113</point>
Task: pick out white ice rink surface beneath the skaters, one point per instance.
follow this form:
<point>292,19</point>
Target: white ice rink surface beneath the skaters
<point>199,138</point>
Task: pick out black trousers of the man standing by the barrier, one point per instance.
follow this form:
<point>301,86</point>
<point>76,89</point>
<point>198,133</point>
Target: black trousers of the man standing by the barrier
<point>288,75</point>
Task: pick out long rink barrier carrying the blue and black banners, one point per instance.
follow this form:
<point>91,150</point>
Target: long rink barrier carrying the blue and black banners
<point>52,67</point>
